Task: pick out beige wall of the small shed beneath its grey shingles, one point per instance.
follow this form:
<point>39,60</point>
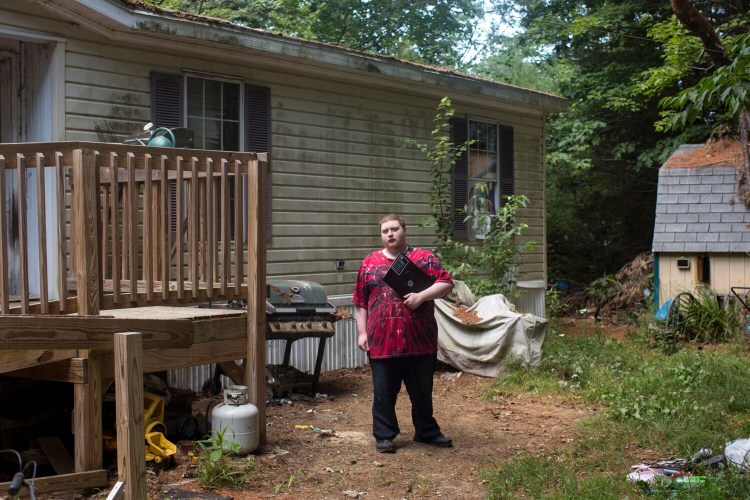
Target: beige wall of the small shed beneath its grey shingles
<point>727,270</point>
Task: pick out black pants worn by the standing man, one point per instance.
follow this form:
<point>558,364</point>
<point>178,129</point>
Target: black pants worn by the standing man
<point>416,373</point>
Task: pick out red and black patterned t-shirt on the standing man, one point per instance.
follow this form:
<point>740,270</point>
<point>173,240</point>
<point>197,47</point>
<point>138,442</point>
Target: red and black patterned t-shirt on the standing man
<point>392,328</point>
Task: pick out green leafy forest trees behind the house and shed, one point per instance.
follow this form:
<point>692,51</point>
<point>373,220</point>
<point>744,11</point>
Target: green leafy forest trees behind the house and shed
<point>615,60</point>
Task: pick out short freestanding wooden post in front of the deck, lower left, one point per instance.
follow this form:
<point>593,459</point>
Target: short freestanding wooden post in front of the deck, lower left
<point>131,455</point>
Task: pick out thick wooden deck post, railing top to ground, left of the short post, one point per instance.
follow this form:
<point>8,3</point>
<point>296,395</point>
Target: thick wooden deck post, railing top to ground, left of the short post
<point>87,417</point>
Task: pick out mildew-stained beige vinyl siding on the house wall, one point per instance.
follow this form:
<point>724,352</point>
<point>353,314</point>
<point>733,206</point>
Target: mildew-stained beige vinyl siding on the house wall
<point>338,163</point>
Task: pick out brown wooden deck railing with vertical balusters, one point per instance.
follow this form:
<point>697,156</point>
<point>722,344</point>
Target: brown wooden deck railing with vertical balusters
<point>89,226</point>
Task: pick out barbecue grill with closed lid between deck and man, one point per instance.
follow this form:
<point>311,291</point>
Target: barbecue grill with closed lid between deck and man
<point>299,309</point>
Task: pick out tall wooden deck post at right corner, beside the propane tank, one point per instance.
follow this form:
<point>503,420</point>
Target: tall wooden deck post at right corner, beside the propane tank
<point>255,365</point>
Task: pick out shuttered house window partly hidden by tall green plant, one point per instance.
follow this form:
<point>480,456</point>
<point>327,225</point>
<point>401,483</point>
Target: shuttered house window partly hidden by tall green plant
<point>489,160</point>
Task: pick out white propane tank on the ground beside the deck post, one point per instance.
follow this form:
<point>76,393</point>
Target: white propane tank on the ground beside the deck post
<point>237,419</point>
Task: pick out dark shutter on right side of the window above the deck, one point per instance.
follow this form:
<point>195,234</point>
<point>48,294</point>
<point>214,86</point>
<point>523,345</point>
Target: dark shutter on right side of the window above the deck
<point>258,127</point>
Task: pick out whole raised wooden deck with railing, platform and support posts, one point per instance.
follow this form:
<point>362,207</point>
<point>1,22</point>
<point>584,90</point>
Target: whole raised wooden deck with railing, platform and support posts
<point>107,216</point>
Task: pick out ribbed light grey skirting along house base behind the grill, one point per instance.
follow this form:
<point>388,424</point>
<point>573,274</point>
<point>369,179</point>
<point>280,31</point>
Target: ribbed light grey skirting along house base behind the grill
<point>340,352</point>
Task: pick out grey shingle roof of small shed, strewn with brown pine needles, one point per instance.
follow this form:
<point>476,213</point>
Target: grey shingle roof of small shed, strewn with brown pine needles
<point>696,207</point>
